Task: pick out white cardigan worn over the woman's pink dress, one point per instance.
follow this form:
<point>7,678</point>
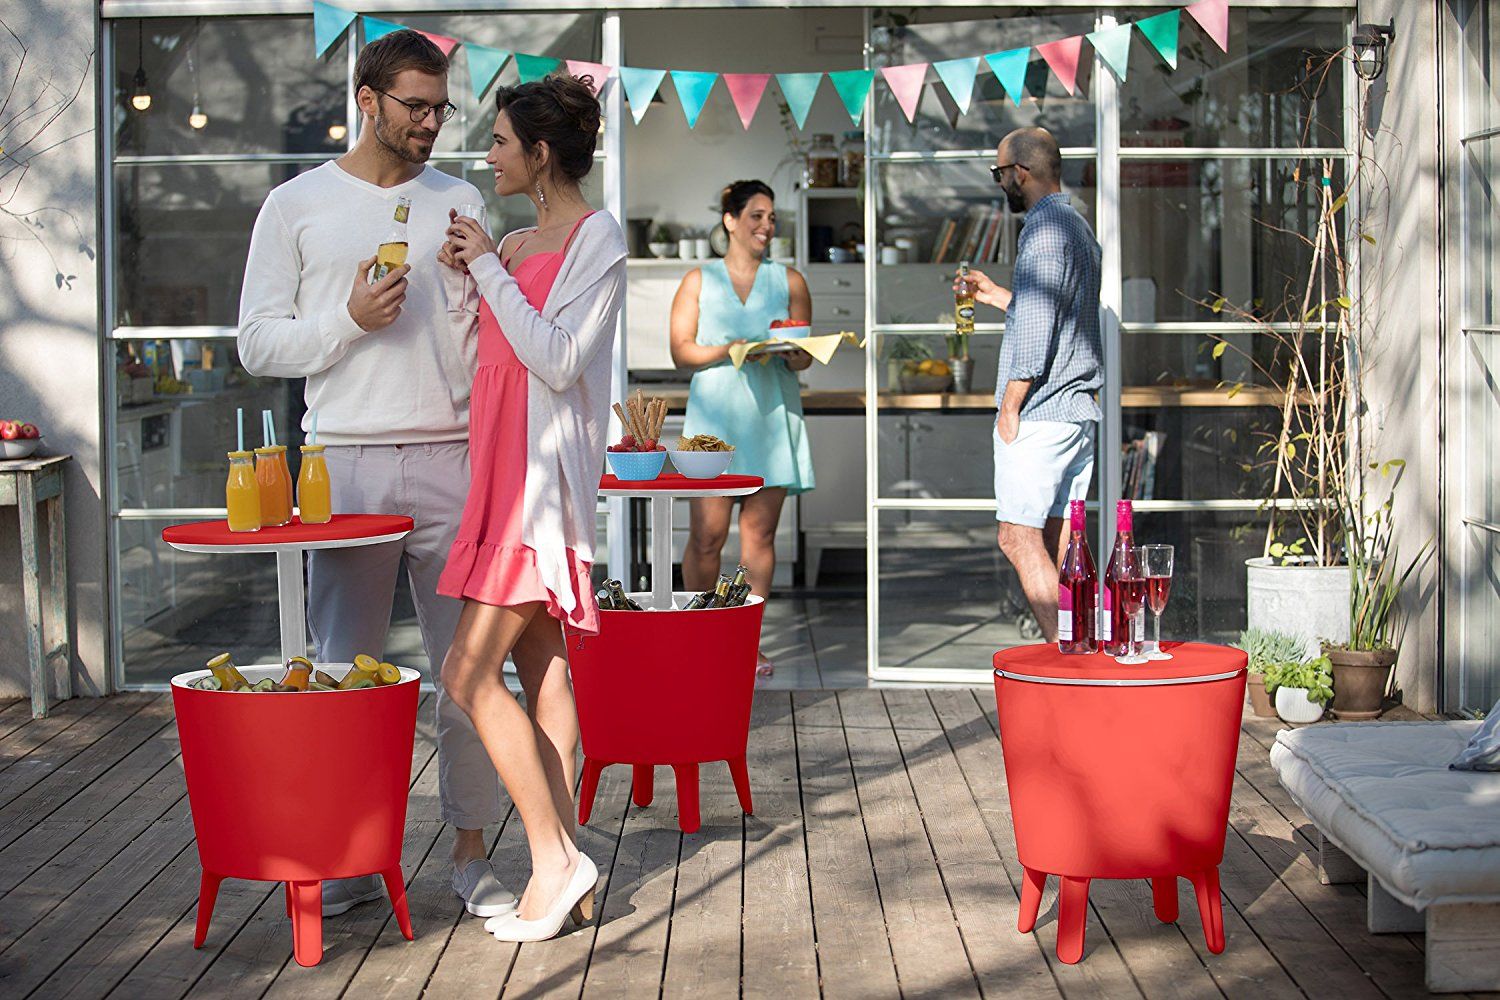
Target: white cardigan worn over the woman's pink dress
<point>568,350</point>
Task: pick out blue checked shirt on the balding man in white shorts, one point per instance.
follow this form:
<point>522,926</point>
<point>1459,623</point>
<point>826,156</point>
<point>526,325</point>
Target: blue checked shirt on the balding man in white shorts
<point>1052,331</point>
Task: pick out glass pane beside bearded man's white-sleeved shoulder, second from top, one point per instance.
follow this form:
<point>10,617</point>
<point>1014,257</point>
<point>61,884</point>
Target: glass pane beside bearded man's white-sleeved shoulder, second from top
<point>169,217</point>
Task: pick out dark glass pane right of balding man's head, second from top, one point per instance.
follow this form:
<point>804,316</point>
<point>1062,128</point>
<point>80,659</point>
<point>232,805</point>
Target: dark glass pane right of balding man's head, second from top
<point>1199,230</point>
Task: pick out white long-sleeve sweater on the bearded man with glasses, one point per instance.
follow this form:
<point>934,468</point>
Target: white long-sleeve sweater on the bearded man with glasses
<point>404,385</point>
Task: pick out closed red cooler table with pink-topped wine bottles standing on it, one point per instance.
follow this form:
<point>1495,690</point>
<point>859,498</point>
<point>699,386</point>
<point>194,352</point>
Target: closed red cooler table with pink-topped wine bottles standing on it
<point>1120,773</point>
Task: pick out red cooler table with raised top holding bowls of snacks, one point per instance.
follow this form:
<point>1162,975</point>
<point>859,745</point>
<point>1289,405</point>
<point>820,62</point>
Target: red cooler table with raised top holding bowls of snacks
<point>668,687</point>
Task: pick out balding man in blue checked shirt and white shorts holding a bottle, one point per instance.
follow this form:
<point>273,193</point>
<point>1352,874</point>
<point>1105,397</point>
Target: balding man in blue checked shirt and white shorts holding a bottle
<point>1051,368</point>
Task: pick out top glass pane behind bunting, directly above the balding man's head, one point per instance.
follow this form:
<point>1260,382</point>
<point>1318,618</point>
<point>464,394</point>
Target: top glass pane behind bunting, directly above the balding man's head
<point>917,37</point>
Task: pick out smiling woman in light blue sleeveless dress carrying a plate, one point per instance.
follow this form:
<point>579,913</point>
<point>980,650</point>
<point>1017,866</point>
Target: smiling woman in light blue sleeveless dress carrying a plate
<point>758,409</point>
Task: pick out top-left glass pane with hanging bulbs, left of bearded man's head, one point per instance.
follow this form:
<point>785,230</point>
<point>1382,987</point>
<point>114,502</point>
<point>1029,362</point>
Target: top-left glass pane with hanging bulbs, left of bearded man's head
<point>254,79</point>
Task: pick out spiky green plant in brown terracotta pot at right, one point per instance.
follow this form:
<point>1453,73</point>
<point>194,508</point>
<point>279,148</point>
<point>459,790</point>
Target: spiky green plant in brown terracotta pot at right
<point>1364,663</point>
